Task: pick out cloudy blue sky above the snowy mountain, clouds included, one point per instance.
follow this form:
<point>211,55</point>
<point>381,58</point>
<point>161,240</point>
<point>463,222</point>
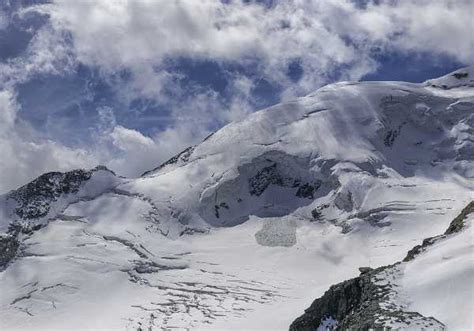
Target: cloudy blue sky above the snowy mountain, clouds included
<point>130,83</point>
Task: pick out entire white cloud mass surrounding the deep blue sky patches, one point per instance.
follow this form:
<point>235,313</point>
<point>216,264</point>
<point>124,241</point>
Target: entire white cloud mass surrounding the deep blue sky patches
<point>140,36</point>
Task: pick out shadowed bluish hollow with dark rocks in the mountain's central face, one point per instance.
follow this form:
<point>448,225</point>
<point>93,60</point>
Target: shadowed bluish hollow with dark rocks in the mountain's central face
<point>269,185</point>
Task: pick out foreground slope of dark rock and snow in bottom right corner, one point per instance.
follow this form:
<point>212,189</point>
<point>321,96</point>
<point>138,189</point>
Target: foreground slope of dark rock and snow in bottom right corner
<point>434,279</point>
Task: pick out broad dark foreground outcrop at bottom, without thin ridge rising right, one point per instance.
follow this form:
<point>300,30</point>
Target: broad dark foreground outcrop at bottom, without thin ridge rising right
<point>360,303</point>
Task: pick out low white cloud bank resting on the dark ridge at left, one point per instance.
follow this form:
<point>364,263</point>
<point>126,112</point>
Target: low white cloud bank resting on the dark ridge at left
<point>26,156</point>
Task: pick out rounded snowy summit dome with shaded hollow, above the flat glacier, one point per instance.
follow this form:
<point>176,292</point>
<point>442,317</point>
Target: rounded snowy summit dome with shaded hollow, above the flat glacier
<point>341,141</point>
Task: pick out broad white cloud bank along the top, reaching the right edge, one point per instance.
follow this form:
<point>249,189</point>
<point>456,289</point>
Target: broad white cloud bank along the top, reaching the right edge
<point>134,34</point>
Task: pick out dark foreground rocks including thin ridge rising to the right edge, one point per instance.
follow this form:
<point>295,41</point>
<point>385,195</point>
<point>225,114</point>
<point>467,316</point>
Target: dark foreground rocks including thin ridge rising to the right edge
<point>364,302</point>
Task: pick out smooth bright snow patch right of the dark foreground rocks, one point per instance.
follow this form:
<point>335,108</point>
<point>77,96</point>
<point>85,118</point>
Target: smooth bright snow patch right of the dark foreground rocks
<point>441,278</point>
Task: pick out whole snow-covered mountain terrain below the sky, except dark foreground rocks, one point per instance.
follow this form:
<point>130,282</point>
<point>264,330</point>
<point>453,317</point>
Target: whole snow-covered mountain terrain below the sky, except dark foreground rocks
<point>247,228</point>
